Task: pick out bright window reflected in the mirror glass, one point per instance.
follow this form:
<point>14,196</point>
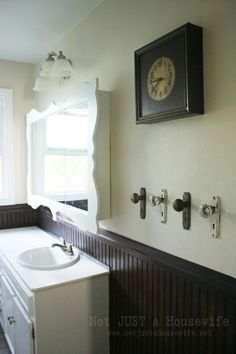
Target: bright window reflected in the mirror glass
<point>65,159</point>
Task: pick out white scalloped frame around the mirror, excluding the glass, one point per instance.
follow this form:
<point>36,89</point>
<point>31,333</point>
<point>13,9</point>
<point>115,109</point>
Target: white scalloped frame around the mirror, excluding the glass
<point>98,158</point>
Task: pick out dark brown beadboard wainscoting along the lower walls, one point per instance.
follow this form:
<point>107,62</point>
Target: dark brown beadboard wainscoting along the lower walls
<point>159,303</point>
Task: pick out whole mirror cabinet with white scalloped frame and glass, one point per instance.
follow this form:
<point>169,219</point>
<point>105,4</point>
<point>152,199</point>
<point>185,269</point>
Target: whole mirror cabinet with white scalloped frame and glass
<point>69,157</point>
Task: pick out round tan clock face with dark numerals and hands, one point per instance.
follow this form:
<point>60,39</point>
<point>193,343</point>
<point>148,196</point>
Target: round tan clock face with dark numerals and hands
<point>161,79</point>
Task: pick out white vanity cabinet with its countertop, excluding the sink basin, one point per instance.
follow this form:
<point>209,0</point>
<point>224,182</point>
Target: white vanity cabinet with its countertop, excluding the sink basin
<point>63,311</point>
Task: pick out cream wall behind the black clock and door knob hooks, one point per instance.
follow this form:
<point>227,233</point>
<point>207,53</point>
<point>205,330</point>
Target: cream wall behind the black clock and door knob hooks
<point>195,155</point>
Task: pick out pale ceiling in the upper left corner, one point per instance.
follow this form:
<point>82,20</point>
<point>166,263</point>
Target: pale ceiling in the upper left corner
<point>30,28</point>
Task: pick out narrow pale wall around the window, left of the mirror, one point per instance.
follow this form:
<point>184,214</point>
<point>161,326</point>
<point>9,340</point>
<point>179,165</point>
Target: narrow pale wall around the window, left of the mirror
<point>18,77</point>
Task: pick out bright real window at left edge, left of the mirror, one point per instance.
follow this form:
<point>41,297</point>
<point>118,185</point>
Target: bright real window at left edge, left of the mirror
<point>6,160</point>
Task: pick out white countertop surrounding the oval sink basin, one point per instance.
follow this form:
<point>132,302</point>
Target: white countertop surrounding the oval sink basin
<point>15,241</point>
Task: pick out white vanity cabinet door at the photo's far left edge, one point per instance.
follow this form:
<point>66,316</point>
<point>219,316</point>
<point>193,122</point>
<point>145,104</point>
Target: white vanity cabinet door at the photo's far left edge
<point>8,314</point>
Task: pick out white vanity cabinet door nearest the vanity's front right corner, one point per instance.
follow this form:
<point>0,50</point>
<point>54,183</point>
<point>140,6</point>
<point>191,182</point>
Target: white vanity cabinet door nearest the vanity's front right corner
<point>23,330</point>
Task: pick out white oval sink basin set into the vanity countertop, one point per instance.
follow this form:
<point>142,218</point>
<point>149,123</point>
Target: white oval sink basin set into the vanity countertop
<point>47,258</point>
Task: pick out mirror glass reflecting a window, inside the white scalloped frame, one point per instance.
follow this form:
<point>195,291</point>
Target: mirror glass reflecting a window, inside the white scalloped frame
<point>61,156</point>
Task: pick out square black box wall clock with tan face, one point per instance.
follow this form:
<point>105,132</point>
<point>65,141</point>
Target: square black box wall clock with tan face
<point>169,76</point>
